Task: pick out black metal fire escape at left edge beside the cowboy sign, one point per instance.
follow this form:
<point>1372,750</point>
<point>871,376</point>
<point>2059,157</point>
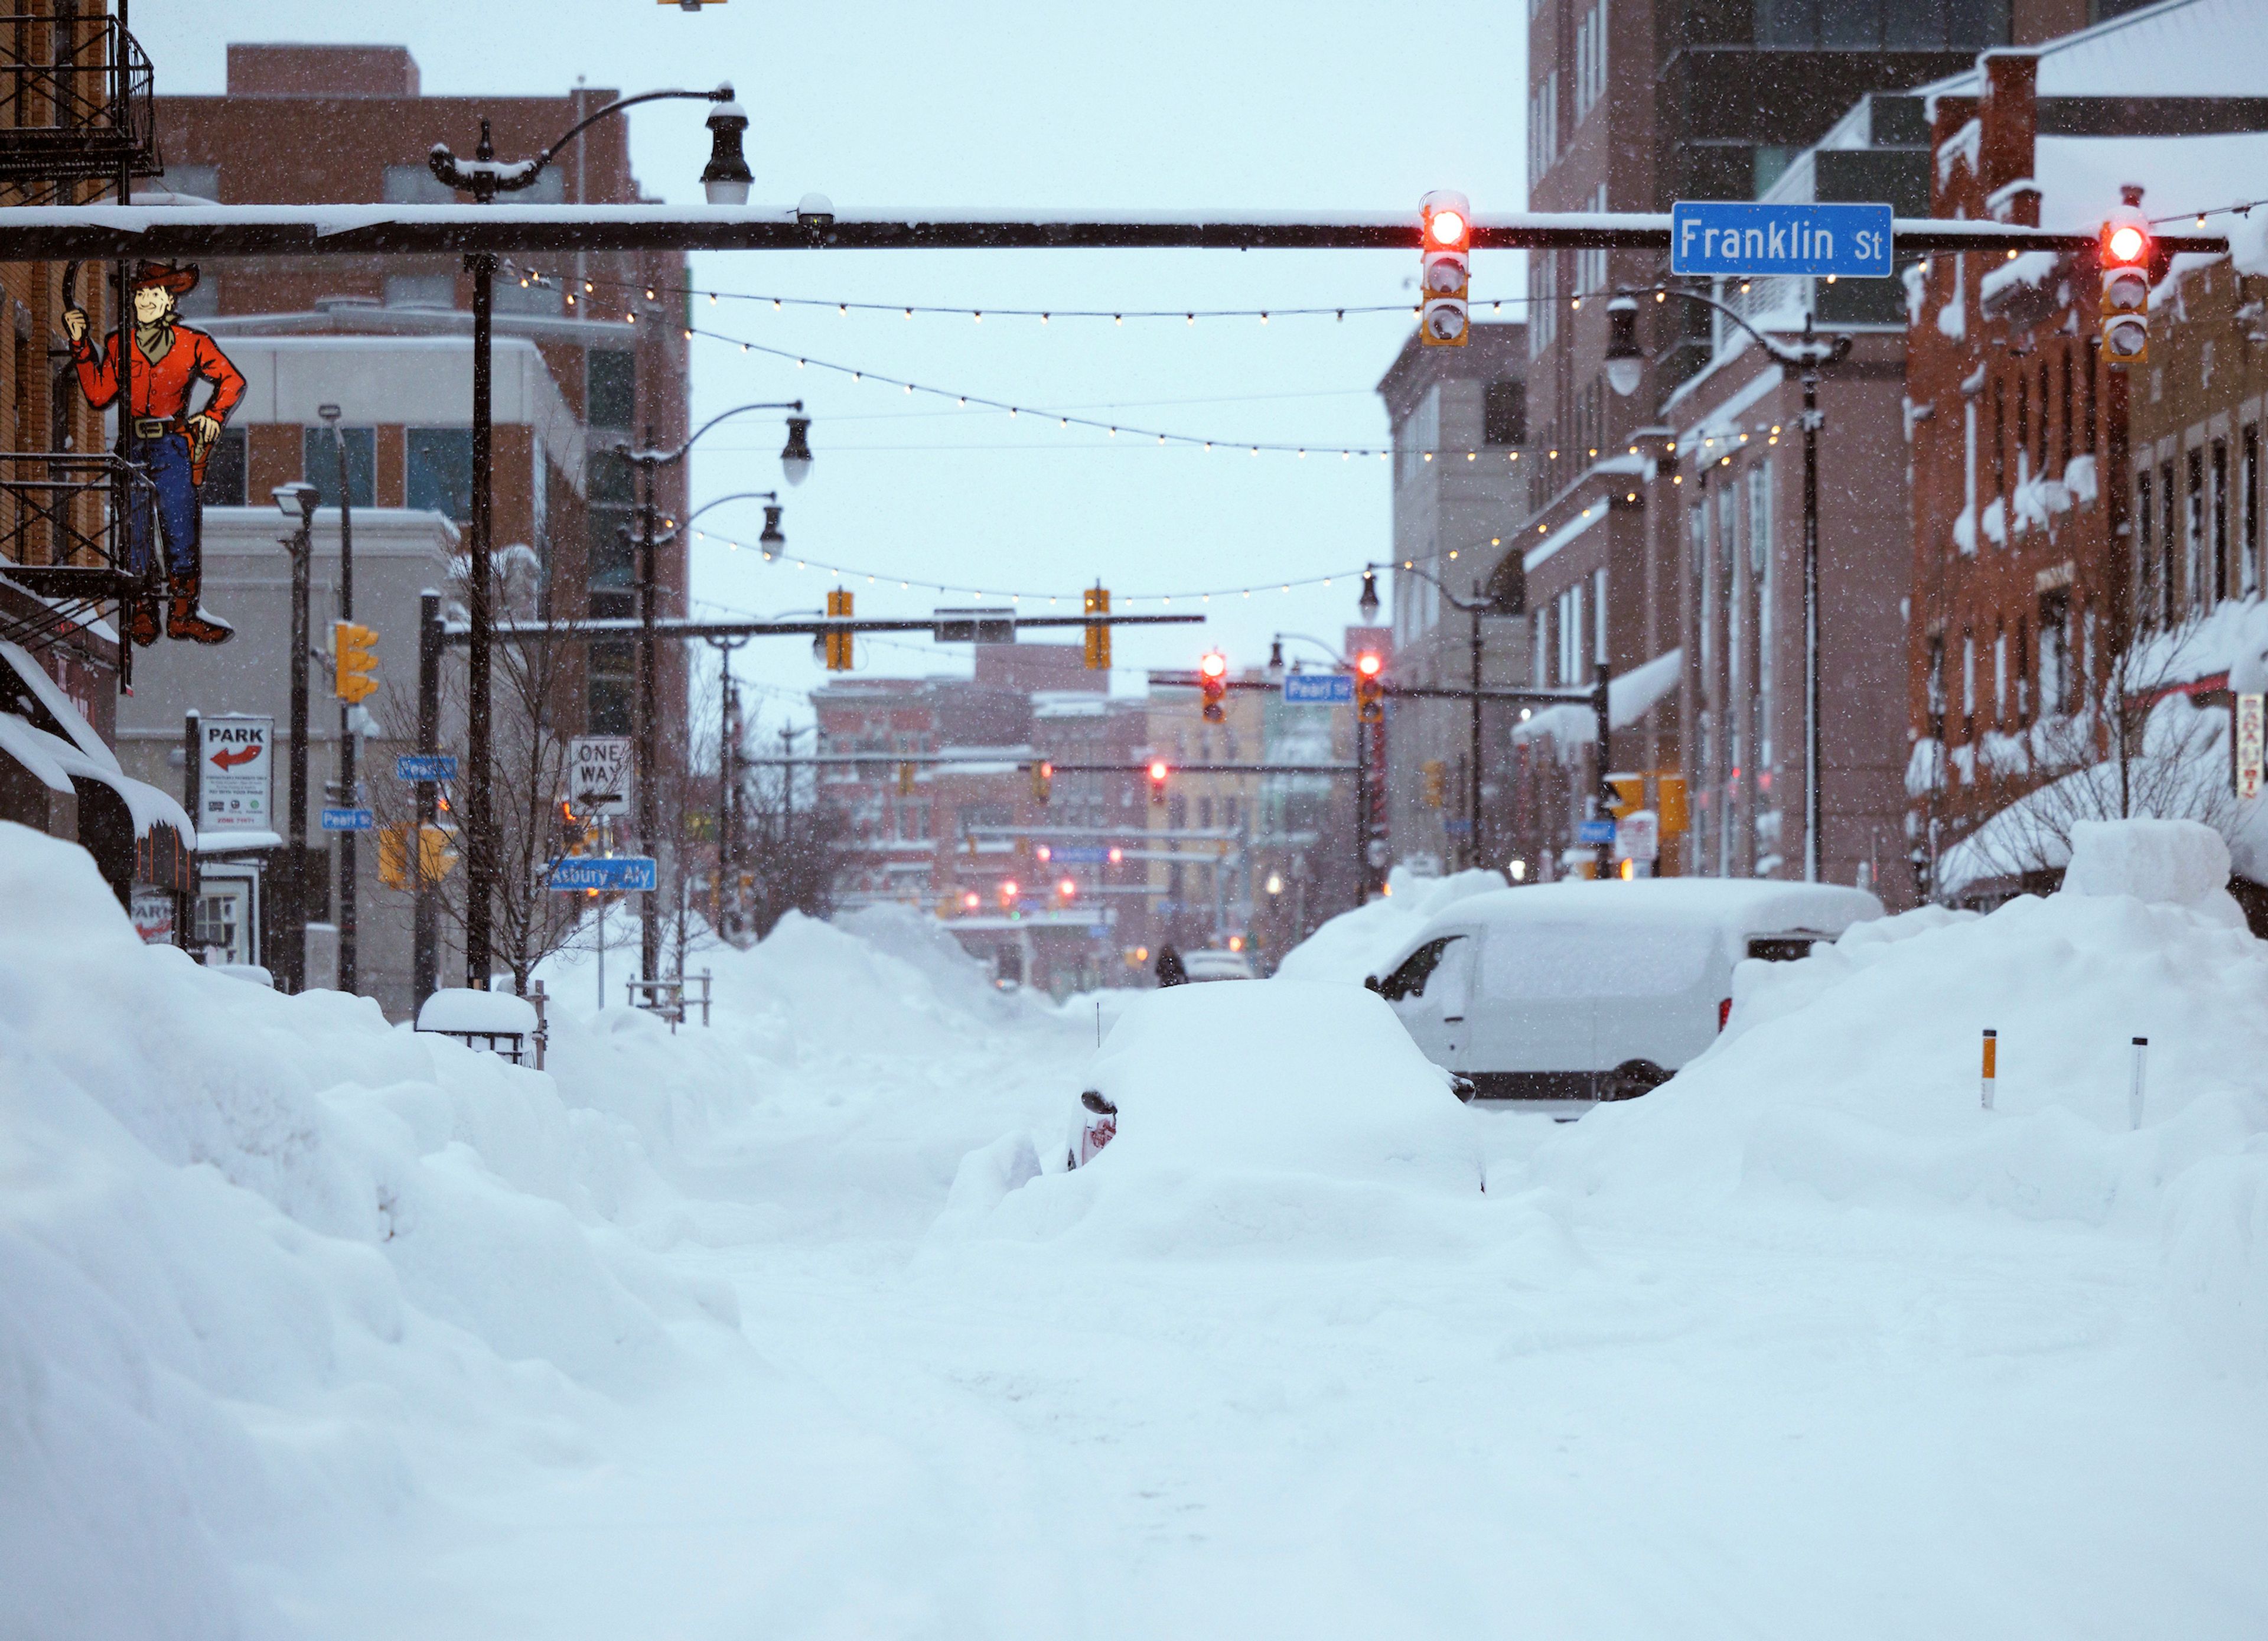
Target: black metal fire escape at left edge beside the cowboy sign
<point>78,119</point>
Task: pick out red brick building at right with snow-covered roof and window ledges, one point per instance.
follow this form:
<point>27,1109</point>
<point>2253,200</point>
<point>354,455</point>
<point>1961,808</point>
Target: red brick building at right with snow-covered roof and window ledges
<point>2042,539</point>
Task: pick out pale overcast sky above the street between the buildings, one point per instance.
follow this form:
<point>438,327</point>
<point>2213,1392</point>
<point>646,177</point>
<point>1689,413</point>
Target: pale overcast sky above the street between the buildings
<point>1022,106</point>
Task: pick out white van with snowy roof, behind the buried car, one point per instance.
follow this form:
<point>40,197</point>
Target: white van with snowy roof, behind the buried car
<point>1596,991</point>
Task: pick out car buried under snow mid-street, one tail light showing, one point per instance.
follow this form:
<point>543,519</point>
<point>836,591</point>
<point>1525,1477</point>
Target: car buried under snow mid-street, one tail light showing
<point>1276,1077</point>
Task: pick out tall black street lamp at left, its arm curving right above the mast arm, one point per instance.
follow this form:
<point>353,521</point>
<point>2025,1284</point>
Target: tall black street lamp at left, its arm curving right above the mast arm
<point>484,178</point>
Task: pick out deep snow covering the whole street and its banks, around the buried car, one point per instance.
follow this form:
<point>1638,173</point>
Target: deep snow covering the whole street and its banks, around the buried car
<point>711,1345</point>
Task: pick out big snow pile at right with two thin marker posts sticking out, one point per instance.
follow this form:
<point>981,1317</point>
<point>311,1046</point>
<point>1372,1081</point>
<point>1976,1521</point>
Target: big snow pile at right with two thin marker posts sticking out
<point>1856,1072</point>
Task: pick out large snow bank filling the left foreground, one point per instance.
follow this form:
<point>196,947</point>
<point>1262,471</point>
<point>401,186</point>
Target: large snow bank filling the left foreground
<point>251,1245</point>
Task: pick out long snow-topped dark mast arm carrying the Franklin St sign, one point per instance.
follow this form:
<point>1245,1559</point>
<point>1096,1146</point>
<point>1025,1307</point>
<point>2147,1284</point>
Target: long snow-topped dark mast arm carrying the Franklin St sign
<point>101,233</point>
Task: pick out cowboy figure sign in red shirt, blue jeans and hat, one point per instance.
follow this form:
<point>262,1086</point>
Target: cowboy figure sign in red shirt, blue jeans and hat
<point>167,439</point>
